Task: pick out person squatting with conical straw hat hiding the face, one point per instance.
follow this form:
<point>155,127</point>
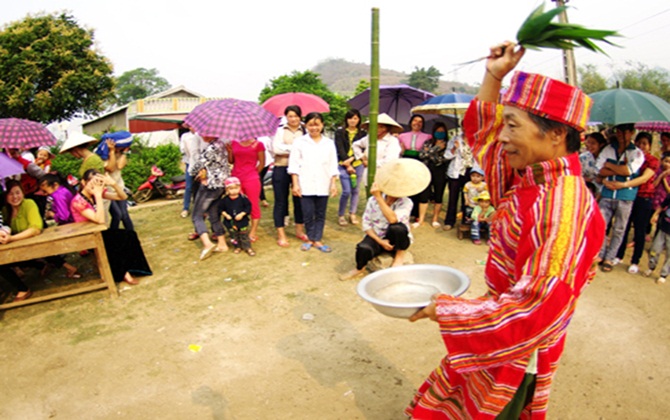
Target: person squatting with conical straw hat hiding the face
<point>386,216</point>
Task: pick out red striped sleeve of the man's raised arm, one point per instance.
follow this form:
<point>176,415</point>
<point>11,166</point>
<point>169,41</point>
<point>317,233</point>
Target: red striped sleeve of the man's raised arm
<point>482,125</point>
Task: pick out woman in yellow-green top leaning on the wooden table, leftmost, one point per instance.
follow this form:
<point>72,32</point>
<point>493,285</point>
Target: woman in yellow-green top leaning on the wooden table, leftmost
<point>24,220</point>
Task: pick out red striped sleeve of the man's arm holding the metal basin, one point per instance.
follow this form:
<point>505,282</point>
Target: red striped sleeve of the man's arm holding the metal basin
<point>553,264</point>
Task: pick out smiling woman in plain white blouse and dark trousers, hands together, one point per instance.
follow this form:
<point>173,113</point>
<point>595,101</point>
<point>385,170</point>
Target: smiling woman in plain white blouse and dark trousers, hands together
<point>313,168</point>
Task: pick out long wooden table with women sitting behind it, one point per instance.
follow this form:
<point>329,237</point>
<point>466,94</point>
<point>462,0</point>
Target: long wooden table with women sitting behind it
<point>62,240</point>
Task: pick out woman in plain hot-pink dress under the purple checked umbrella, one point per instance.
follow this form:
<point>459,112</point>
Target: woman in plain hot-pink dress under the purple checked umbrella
<point>248,159</point>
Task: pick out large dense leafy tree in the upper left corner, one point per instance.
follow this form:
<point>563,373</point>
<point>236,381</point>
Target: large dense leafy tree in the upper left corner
<point>49,70</point>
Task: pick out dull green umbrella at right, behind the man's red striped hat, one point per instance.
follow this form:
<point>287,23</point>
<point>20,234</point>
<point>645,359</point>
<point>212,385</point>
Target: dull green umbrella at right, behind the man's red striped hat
<point>622,106</point>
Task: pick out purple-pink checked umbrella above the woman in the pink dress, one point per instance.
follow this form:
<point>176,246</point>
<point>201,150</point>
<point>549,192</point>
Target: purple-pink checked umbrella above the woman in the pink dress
<point>232,119</point>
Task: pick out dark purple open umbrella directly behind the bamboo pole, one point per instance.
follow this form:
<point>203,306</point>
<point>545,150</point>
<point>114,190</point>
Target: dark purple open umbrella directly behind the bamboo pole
<point>395,100</point>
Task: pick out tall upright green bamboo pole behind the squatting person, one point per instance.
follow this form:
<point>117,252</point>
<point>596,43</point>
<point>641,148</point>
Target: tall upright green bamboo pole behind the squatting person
<point>374,100</point>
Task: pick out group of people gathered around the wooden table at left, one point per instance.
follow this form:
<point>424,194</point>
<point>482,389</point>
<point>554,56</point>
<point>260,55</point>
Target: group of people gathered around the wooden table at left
<point>38,196</point>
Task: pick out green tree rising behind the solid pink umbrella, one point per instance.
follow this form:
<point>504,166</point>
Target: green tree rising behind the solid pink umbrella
<point>308,82</point>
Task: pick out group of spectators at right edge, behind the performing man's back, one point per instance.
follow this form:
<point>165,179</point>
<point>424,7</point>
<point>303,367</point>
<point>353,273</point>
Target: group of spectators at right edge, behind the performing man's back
<point>630,184</point>
